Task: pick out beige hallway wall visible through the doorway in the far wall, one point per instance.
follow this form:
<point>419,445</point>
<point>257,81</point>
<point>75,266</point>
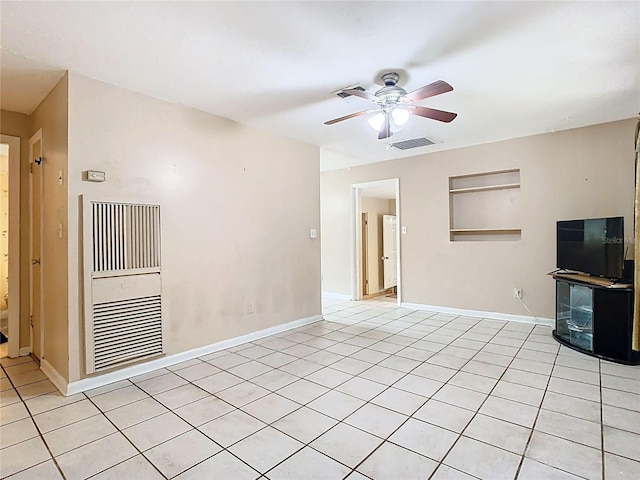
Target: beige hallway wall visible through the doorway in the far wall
<point>376,208</point>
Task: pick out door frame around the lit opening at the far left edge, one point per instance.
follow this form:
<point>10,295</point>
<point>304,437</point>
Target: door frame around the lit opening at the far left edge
<point>14,243</point>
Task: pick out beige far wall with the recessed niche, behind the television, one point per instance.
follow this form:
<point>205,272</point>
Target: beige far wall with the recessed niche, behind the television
<point>580,173</point>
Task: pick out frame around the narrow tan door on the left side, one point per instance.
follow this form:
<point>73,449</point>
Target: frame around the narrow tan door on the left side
<point>32,141</point>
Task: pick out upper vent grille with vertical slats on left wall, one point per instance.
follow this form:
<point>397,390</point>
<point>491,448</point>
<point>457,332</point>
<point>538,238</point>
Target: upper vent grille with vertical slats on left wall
<point>125,236</point>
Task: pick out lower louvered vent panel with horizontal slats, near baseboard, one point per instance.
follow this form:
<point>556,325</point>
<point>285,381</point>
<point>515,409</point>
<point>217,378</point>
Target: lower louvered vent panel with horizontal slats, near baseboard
<point>126,330</point>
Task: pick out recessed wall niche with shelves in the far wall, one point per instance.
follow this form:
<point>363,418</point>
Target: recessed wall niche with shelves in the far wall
<point>485,206</point>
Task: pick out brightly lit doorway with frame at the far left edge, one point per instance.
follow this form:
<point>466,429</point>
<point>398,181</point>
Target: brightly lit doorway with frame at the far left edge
<point>9,245</point>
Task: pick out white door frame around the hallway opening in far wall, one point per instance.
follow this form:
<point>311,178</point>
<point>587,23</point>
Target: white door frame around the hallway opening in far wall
<point>356,236</point>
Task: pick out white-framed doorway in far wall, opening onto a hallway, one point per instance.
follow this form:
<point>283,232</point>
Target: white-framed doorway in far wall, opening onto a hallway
<point>370,261</point>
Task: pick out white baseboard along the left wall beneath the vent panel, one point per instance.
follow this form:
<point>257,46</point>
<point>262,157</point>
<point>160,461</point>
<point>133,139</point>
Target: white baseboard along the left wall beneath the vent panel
<point>127,372</point>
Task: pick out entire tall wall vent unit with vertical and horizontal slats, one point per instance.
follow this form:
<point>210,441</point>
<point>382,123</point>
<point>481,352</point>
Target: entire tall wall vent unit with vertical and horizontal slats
<point>123,303</point>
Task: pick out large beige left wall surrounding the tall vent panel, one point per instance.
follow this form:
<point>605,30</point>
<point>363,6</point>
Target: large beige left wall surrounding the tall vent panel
<point>237,205</point>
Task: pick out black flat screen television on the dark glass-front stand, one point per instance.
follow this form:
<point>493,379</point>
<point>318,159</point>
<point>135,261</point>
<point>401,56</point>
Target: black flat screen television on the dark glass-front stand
<point>594,246</point>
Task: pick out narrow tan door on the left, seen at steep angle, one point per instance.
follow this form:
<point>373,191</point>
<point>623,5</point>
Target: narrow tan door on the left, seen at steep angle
<point>35,168</point>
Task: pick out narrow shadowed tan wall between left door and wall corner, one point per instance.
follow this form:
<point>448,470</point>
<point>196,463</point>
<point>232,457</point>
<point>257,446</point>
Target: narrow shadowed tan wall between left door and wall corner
<point>52,117</point>
